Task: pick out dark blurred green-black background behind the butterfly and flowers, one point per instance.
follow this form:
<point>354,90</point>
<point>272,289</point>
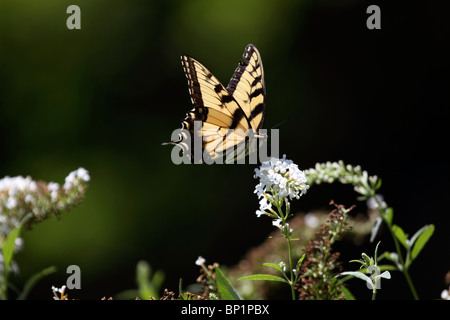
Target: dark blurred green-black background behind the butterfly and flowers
<point>106,96</point>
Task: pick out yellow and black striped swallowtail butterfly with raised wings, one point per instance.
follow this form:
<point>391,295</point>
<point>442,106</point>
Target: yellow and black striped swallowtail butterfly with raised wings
<point>230,117</point>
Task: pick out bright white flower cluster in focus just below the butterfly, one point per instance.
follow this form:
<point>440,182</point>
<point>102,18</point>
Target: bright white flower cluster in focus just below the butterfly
<point>278,179</point>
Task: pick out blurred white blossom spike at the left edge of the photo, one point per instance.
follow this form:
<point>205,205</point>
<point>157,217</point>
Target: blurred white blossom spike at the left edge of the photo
<point>21,196</point>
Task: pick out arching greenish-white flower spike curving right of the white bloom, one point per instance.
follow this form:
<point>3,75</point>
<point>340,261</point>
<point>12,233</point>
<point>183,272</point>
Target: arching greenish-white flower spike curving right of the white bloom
<point>331,171</point>
